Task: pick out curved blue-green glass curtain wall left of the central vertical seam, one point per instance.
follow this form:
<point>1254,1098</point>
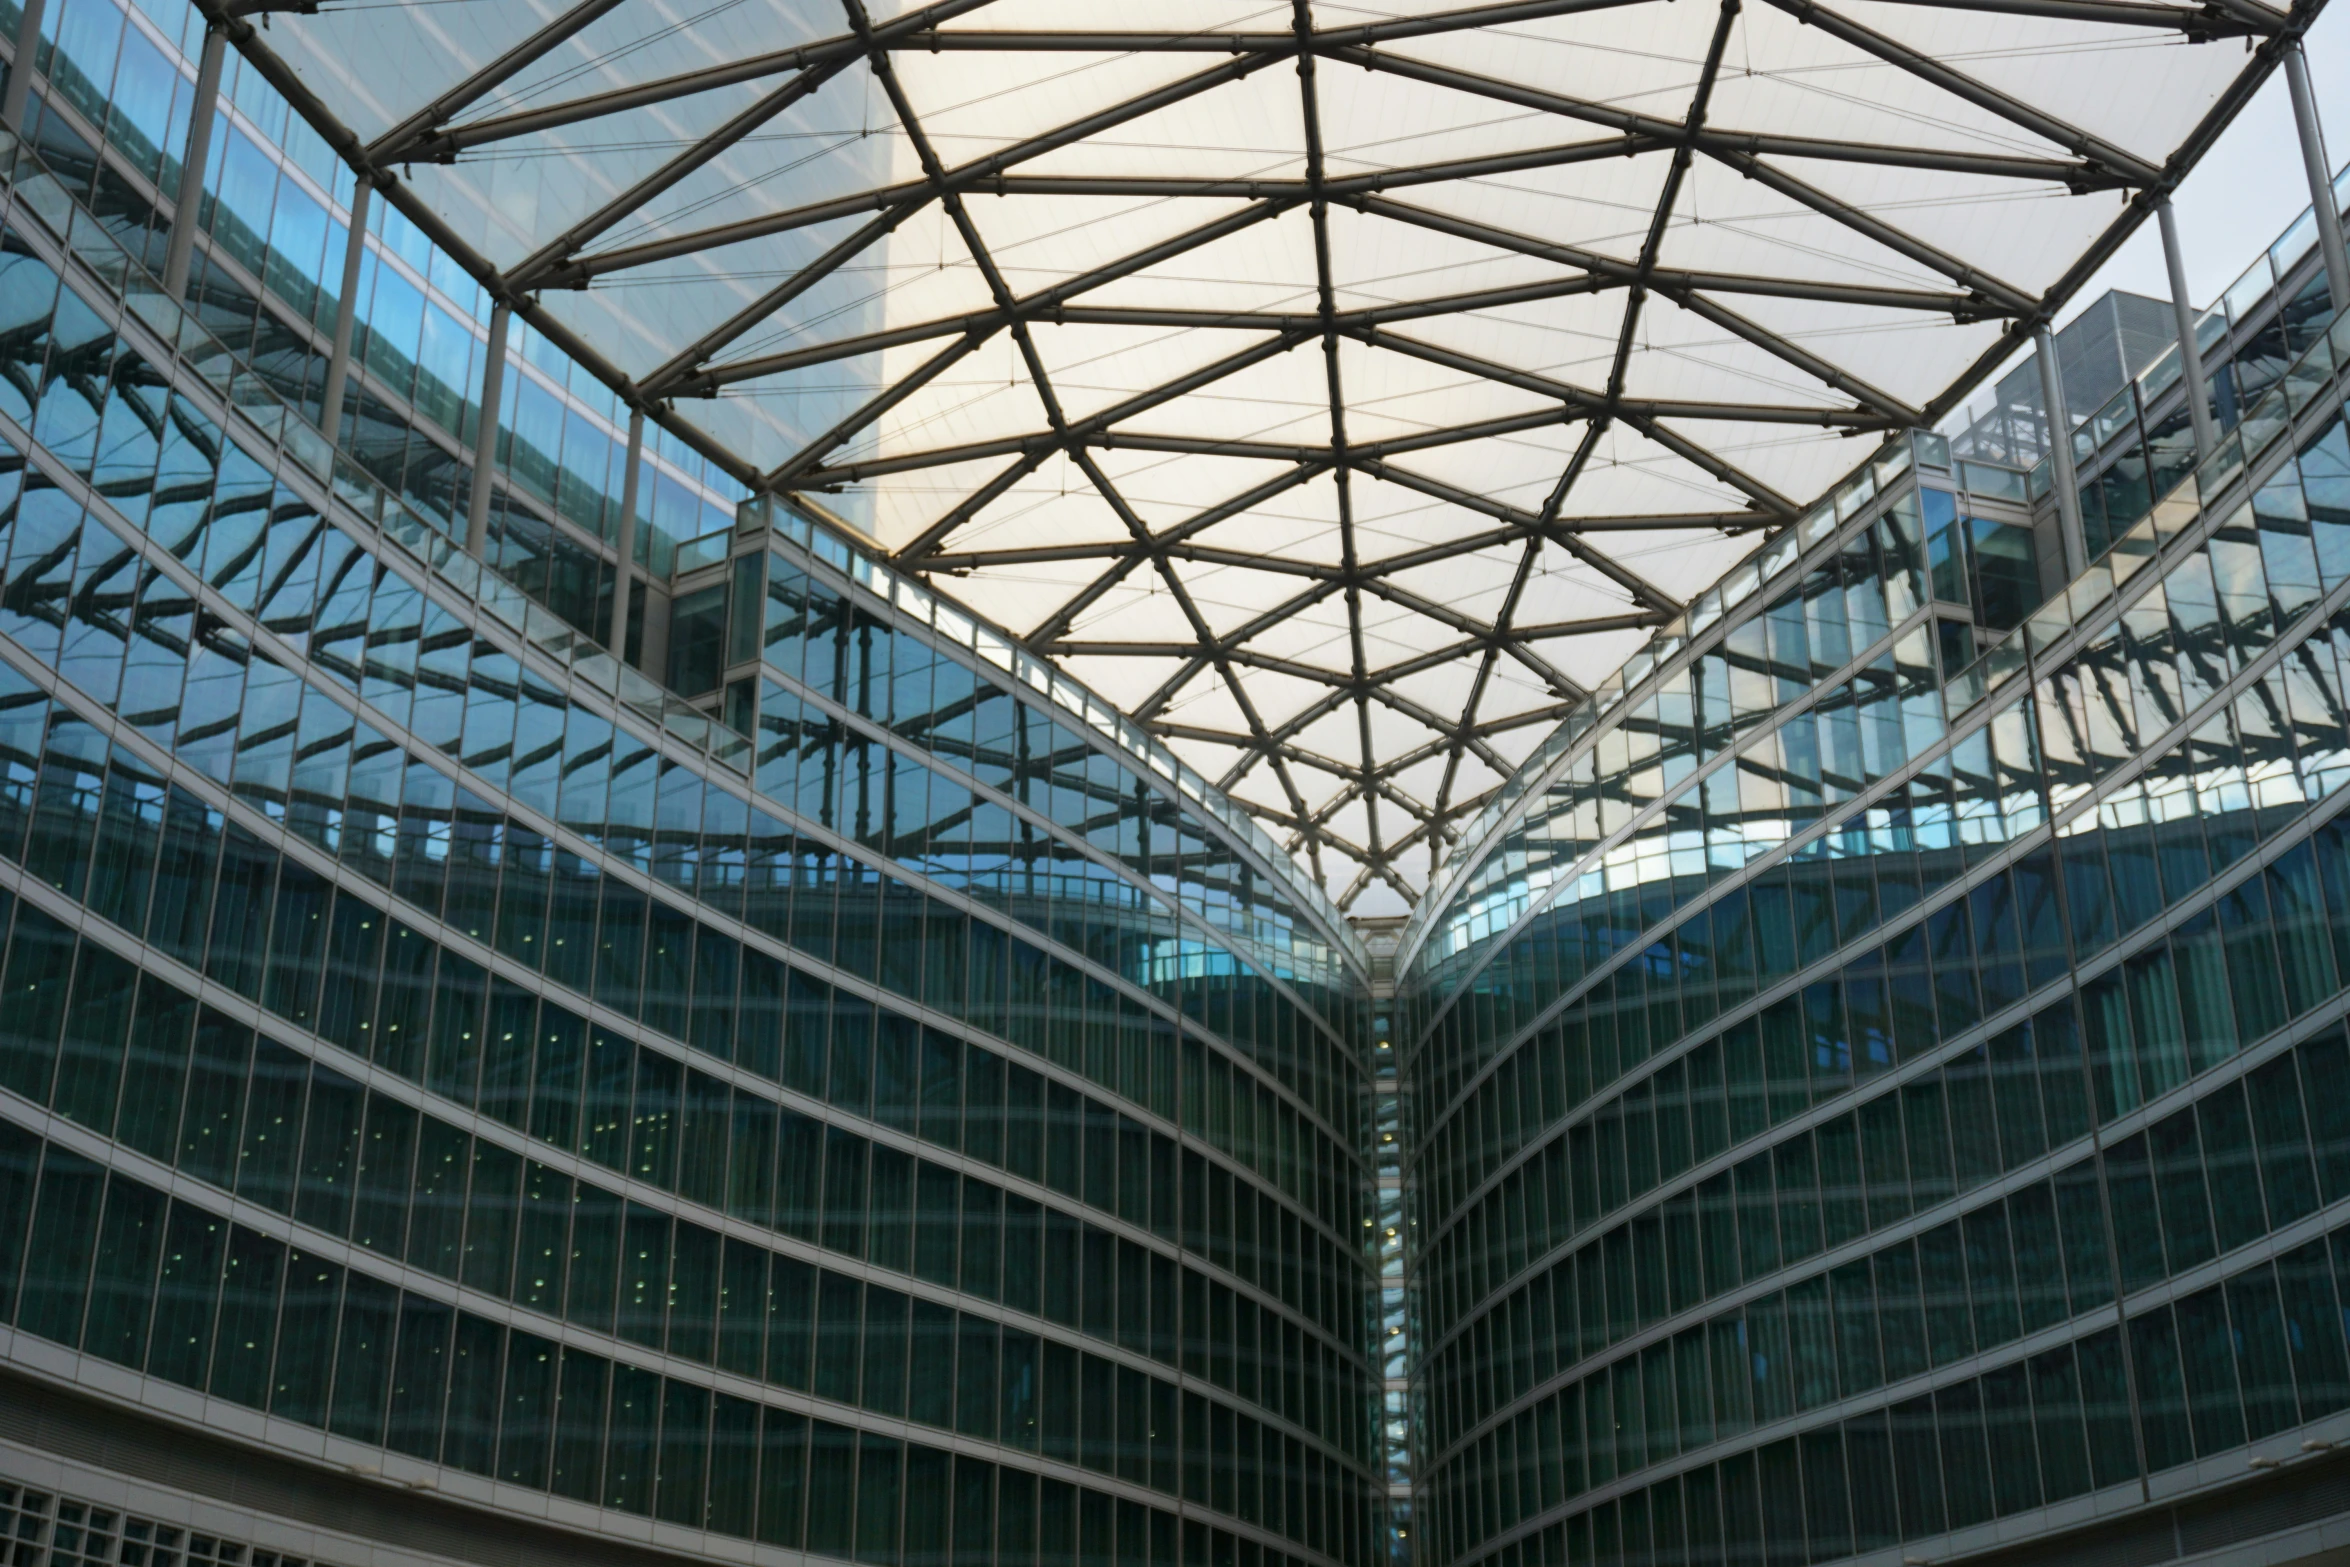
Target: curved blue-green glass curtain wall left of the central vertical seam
<point>546,1112</point>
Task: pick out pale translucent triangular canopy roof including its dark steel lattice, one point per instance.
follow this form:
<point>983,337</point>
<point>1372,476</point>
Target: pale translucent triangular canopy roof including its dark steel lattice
<point>1343,391</point>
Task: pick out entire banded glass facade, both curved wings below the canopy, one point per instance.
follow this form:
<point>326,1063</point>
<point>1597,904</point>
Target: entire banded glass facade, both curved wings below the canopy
<point>786,1072</point>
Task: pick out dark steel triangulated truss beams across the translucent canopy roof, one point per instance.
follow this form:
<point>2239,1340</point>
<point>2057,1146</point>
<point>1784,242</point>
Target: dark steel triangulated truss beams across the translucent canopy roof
<point>1352,579</point>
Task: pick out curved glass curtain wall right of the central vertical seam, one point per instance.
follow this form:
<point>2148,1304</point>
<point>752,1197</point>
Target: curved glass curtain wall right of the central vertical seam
<point>1916,1112</point>
